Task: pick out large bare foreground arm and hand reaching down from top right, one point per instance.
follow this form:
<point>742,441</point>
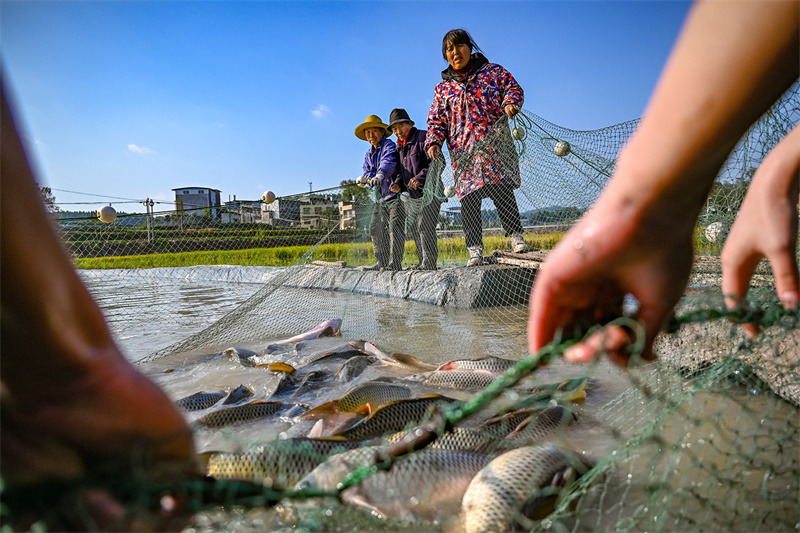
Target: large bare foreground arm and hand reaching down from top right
<point>714,85</point>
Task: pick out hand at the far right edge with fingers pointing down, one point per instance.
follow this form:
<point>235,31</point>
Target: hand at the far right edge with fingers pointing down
<point>766,227</point>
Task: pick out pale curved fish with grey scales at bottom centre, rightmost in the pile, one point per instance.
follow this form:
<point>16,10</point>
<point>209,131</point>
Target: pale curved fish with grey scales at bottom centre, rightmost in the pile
<point>518,485</point>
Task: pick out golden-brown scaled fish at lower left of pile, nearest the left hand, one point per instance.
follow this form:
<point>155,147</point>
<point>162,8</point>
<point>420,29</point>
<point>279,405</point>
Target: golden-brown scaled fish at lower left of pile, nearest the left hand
<point>277,465</point>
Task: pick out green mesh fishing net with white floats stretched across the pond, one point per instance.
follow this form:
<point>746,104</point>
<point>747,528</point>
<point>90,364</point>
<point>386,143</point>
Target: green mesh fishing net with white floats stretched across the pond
<point>706,438</point>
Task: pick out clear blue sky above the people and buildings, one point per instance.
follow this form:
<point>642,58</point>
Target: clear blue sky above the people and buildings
<point>132,99</point>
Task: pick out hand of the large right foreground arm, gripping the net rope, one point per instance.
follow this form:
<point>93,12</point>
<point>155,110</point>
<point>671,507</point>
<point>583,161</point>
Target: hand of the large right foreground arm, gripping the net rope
<point>611,252</point>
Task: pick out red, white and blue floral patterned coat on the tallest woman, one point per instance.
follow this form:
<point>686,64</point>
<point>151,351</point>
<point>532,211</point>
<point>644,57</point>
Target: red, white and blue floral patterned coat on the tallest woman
<point>464,112</point>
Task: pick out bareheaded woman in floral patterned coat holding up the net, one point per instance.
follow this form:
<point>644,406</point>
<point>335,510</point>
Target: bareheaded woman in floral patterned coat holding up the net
<point>473,95</point>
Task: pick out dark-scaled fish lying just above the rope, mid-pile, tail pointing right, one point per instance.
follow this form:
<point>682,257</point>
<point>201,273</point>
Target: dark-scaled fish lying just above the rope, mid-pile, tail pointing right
<point>394,416</point>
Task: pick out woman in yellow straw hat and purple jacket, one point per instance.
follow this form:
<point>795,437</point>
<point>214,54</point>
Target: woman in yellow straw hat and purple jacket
<point>389,214</point>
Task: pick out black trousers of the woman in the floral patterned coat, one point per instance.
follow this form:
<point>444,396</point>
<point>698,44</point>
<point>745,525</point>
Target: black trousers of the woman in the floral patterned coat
<point>504,201</point>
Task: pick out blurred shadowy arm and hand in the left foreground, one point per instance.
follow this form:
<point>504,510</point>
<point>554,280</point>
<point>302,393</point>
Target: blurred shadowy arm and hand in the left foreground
<point>72,404</point>
